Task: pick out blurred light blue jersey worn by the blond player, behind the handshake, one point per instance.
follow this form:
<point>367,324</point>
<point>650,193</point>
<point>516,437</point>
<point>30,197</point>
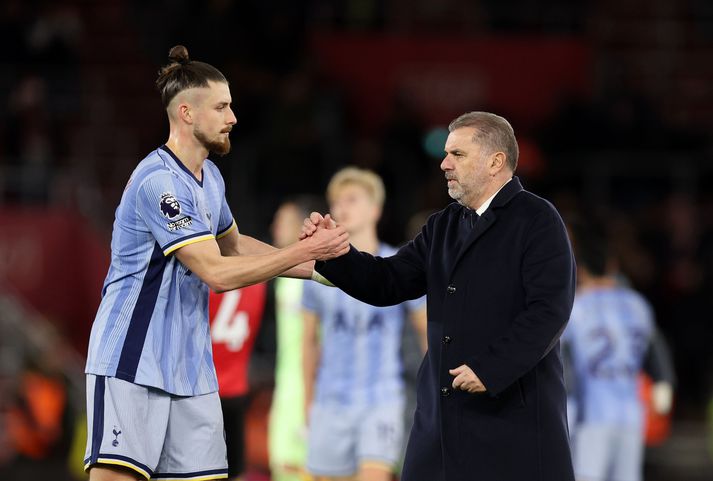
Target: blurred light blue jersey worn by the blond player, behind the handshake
<point>360,362</point>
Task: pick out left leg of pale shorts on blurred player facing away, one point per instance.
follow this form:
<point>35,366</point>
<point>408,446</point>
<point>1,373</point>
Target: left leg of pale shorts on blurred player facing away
<point>592,451</point>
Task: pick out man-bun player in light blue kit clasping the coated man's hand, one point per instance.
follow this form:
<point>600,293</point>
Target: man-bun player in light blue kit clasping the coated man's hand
<point>152,404</point>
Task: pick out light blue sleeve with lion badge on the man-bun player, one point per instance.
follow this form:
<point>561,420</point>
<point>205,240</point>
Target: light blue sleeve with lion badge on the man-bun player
<point>167,207</point>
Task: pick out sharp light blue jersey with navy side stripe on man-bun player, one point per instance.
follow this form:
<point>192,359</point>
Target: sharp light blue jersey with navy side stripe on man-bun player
<point>152,324</point>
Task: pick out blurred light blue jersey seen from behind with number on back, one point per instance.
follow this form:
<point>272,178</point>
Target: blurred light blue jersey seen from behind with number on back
<point>607,337</point>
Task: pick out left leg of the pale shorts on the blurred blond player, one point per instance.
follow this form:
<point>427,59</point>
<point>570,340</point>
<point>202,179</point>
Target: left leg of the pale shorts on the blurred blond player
<point>331,442</point>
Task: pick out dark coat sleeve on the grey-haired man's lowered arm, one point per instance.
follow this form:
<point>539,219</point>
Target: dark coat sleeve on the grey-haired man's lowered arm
<point>548,278</point>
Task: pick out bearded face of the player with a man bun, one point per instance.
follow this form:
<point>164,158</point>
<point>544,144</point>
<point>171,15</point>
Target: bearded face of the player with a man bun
<point>214,119</point>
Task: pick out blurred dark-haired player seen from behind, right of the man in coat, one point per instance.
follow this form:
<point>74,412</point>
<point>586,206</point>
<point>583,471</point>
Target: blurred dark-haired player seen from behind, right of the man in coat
<point>610,339</point>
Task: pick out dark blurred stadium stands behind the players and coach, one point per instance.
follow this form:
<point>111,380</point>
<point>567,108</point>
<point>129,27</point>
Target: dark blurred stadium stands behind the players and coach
<point>612,102</point>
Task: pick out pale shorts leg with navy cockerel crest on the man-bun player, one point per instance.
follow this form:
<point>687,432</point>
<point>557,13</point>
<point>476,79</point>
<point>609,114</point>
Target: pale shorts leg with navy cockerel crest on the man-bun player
<point>126,425</point>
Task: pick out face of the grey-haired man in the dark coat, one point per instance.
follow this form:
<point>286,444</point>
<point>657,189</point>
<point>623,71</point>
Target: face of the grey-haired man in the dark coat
<point>466,167</point>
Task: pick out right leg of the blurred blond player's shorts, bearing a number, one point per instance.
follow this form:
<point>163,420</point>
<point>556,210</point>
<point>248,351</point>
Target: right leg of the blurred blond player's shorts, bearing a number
<point>380,437</point>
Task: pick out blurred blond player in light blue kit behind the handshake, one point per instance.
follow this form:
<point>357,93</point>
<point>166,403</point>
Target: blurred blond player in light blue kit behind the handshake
<point>353,371</point>
